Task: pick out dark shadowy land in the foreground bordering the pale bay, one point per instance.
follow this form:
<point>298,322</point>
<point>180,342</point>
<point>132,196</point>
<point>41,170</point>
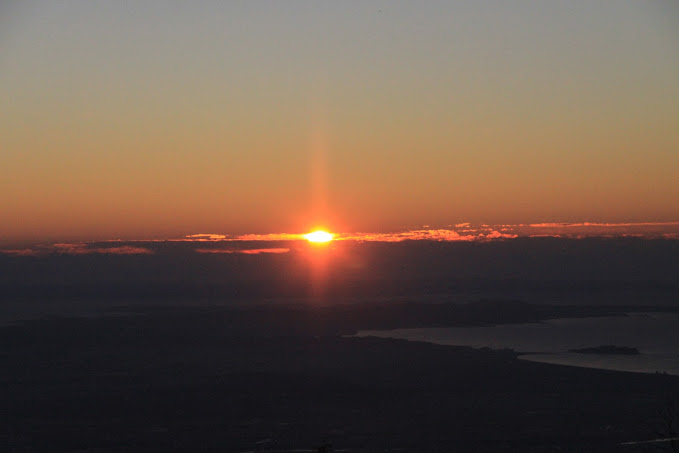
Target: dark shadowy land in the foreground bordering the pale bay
<point>278,378</point>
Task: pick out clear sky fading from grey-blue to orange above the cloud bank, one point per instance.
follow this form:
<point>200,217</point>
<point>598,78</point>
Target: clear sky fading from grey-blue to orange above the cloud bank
<point>154,119</point>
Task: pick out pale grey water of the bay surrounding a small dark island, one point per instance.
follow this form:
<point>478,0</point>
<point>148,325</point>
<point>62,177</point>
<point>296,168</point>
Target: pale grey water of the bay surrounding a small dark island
<point>655,335</point>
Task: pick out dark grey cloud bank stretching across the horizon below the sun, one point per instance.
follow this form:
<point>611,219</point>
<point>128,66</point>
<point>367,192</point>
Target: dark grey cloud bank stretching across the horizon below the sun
<point>243,270</point>
